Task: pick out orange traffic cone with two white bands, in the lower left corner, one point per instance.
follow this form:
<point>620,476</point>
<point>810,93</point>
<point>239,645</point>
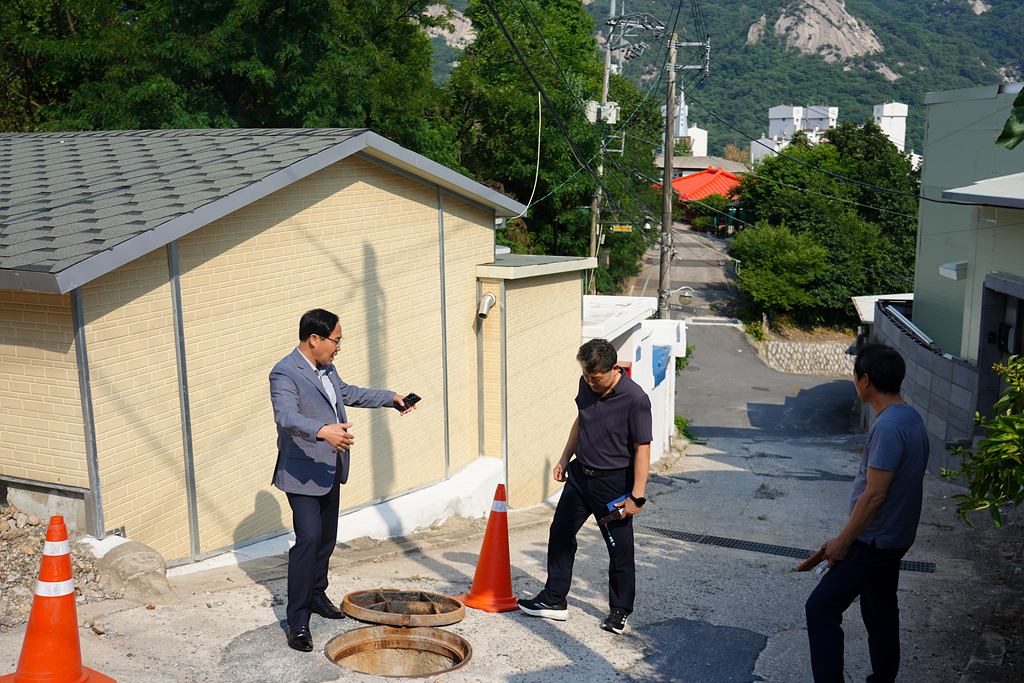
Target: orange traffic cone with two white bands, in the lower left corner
<point>52,653</point>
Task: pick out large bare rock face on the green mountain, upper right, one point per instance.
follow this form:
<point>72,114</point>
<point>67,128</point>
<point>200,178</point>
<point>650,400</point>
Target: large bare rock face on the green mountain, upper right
<point>822,27</point>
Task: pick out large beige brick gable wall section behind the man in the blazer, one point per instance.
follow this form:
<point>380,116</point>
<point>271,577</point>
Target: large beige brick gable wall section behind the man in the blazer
<point>353,239</point>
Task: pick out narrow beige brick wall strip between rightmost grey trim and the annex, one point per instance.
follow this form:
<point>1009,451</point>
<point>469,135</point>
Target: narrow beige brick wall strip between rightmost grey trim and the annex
<point>470,241</point>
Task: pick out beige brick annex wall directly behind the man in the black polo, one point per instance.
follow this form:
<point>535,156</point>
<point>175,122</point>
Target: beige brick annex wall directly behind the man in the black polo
<point>544,328</point>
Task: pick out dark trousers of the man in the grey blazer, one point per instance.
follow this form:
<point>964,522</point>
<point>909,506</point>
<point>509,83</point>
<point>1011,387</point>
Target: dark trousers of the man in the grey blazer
<point>315,520</point>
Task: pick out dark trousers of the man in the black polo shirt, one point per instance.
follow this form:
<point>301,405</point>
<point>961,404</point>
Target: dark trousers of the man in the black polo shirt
<point>583,497</point>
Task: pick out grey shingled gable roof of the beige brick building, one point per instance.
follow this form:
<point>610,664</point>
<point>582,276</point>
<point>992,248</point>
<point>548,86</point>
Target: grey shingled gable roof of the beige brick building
<point>74,206</point>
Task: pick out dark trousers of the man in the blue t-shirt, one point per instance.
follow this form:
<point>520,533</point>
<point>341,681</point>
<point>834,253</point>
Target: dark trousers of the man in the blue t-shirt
<point>874,575</point>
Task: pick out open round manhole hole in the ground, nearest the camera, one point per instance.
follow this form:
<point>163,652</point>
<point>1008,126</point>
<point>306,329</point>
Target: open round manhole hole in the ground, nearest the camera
<point>399,653</point>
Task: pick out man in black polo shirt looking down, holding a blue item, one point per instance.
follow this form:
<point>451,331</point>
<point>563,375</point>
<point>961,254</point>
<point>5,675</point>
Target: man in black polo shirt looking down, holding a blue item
<point>612,441</point>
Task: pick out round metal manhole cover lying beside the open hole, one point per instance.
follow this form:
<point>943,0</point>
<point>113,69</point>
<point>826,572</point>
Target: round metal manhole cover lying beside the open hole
<point>404,608</point>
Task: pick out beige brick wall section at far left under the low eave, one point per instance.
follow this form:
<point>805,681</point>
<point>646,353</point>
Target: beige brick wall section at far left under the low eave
<point>41,435</point>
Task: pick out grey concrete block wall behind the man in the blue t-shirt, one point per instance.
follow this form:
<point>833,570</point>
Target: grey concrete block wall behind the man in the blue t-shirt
<point>944,391</point>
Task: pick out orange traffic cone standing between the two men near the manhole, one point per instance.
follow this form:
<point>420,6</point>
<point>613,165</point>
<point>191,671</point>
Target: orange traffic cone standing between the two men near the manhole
<point>492,590</point>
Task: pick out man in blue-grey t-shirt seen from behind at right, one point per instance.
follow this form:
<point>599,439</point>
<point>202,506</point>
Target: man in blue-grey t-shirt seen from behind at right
<point>885,509</point>
